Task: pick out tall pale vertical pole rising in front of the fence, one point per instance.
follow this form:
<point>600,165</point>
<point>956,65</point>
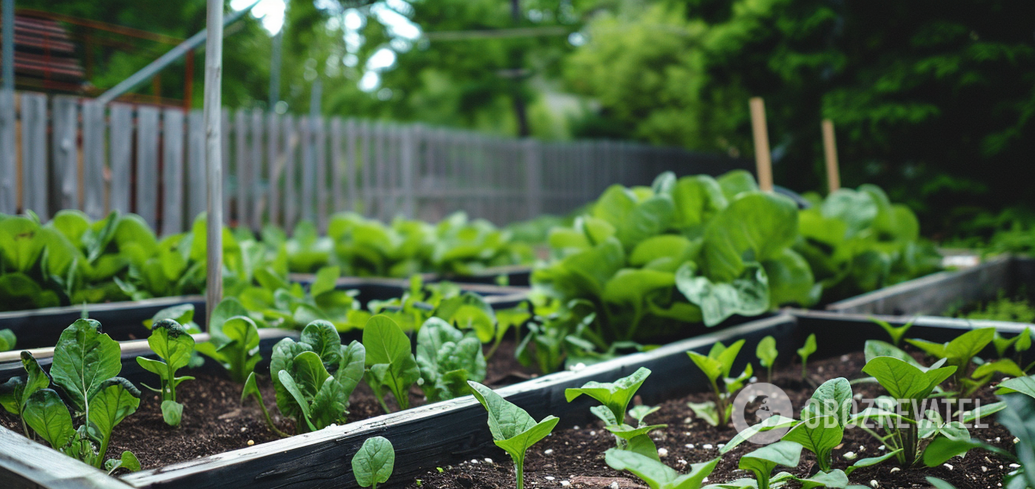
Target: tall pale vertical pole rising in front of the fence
<point>214,154</point>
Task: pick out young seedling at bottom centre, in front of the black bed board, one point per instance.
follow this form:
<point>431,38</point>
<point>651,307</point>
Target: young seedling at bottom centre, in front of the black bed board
<point>513,429</point>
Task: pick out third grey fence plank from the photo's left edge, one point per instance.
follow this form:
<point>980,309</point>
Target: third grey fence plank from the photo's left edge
<point>66,153</point>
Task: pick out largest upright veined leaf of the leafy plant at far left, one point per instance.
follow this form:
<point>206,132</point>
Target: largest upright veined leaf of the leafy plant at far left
<point>84,359</point>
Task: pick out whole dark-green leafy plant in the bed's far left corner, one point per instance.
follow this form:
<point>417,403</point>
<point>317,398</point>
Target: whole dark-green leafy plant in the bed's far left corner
<point>85,369</point>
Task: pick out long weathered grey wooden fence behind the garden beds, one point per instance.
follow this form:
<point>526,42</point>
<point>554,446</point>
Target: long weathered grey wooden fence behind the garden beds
<point>60,153</point>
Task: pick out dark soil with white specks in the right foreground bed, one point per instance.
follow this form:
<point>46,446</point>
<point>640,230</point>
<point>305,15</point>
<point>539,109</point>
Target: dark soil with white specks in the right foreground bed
<point>574,457</point>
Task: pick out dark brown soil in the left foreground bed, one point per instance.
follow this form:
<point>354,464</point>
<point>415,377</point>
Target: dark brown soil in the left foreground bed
<point>215,421</point>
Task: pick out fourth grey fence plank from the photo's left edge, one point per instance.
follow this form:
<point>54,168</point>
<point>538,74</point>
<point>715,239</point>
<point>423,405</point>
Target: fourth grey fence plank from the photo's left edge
<point>95,137</point>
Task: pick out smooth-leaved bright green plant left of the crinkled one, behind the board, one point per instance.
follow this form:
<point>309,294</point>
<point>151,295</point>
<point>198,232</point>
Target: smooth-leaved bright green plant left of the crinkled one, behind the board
<point>391,366</point>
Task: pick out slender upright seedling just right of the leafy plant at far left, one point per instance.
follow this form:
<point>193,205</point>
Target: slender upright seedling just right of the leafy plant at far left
<point>174,346</point>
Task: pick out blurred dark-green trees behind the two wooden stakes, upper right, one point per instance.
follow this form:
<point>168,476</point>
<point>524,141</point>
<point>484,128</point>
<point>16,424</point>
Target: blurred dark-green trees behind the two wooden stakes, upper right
<point>932,100</point>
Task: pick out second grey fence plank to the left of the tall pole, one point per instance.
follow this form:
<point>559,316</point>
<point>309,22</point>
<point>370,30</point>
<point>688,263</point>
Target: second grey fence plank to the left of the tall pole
<point>172,171</point>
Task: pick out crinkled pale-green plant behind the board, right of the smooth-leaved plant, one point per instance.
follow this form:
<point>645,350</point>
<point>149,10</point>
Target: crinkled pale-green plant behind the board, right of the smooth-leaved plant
<point>448,359</point>
